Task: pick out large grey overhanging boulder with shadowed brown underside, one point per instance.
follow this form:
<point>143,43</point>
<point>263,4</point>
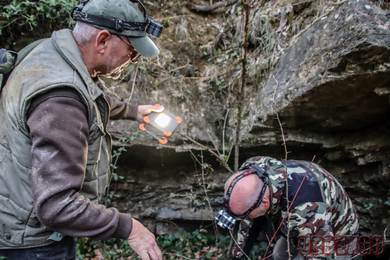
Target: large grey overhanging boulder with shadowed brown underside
<point>335,78</point>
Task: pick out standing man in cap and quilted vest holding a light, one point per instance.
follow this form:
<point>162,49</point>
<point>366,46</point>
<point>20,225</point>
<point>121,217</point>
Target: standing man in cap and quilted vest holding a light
<point>55,148</point>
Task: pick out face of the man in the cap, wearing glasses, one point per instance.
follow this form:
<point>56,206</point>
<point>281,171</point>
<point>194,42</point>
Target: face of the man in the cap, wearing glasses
<point>122,54</point>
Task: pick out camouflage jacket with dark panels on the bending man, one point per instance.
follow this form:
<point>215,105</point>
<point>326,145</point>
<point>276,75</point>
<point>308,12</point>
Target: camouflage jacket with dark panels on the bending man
<point>318,203</point>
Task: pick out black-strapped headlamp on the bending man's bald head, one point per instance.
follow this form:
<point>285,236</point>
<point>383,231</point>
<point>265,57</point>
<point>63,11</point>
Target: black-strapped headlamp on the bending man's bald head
<point>225,217</point>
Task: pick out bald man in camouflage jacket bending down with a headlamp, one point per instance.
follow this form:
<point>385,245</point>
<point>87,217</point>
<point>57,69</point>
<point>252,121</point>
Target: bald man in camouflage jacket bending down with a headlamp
<point>318,207</point>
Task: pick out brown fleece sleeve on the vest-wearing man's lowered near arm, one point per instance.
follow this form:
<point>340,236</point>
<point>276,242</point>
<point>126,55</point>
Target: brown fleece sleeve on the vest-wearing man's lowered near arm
<point>59,133</point>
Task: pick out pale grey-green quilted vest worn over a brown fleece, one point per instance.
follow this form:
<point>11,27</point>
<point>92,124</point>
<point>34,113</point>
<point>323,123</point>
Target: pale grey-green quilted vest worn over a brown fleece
<point>56,62</point>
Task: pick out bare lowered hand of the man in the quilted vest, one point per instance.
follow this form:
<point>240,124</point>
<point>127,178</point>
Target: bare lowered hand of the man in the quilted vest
<point>143,242</point>
